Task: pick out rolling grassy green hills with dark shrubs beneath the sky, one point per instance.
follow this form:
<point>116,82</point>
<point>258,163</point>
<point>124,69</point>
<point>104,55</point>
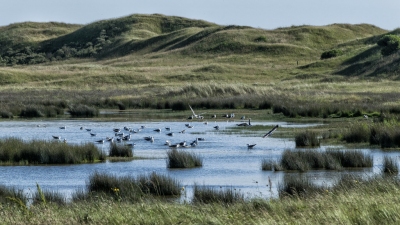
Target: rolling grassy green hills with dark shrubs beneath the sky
<point>170,36</point>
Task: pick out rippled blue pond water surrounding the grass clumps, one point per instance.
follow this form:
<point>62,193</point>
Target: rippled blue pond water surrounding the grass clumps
<point>227,162</point>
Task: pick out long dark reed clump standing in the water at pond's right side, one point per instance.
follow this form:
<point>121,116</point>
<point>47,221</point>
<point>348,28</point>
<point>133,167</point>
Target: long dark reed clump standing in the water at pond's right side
<point>304,160</point>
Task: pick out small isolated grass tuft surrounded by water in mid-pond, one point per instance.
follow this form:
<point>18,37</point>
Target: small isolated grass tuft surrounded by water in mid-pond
<point>183,159</point>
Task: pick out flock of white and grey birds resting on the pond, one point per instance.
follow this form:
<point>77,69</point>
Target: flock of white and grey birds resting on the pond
<point>121,137</point>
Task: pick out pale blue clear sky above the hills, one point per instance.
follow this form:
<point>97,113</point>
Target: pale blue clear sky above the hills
<point>265,14</point>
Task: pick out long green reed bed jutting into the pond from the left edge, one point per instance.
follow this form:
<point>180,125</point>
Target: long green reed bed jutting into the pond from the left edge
<point>17,151</point>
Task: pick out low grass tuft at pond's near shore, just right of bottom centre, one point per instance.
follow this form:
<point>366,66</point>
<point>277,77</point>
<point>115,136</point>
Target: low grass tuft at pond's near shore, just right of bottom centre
<point>207,195</point>
